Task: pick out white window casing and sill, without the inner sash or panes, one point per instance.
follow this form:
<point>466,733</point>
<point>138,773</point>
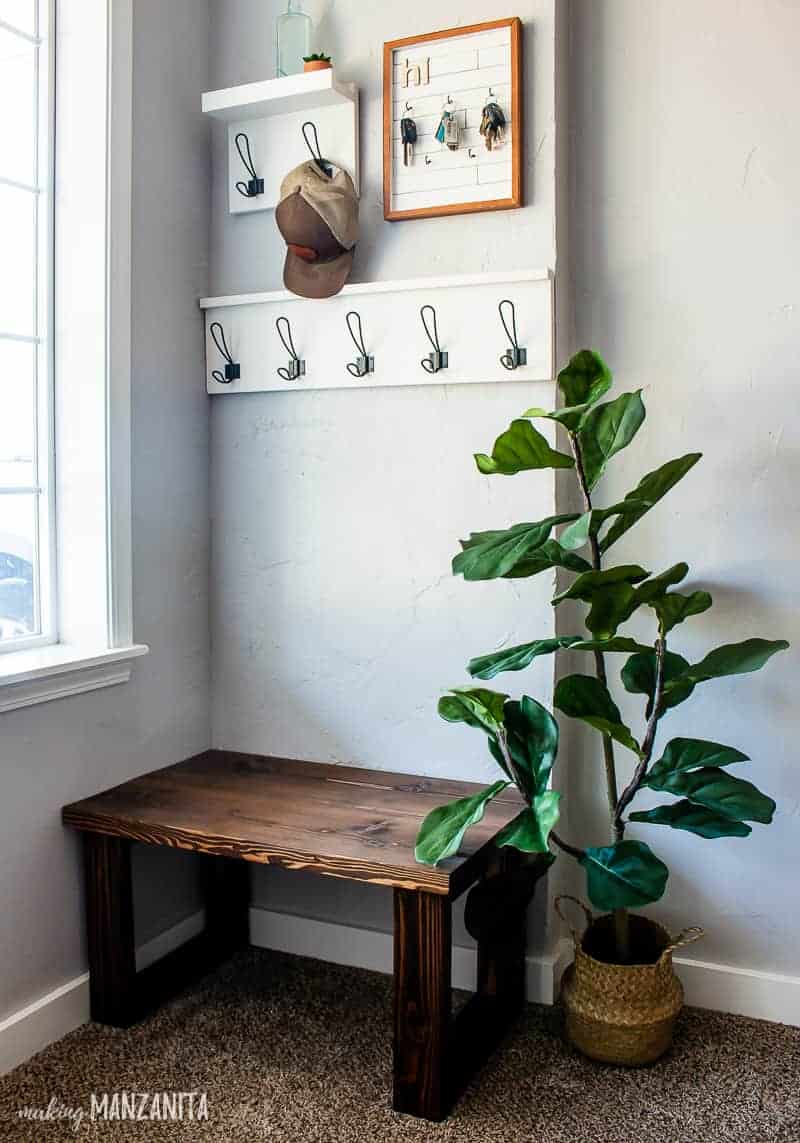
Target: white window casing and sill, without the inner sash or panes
<point>93,485</point>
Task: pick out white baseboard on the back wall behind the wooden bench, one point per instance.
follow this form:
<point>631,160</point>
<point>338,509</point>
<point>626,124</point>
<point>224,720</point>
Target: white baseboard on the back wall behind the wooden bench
<point>361,948</point>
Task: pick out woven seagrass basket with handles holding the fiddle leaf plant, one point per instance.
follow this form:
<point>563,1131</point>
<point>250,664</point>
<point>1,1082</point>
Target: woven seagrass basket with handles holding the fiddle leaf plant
<point>622,1014</point>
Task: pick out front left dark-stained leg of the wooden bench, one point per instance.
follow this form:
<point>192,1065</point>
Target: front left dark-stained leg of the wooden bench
<point>110,928</point>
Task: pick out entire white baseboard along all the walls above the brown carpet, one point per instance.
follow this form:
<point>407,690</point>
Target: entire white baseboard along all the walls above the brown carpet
<point>723,988</point>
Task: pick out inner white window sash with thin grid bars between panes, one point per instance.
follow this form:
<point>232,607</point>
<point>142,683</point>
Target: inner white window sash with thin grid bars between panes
<point>43,489</point>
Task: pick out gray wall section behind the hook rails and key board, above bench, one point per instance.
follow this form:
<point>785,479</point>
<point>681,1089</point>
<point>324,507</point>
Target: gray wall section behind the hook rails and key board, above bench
<point>337,622</point>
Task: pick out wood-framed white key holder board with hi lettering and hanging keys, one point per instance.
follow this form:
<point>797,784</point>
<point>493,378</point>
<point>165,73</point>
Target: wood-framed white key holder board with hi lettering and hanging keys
<point>444,82</point>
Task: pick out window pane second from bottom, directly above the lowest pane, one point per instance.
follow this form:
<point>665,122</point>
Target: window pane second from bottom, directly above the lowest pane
<point>18,418</point>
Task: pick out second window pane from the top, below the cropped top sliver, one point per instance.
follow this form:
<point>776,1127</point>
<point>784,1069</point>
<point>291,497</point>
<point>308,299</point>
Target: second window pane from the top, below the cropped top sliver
<point>18,109</point>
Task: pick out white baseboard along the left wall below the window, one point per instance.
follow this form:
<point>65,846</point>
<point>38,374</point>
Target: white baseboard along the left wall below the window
<point>33,1028</point>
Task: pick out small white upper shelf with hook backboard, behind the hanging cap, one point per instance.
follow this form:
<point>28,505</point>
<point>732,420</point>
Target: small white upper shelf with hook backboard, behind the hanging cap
<point>271,114</point>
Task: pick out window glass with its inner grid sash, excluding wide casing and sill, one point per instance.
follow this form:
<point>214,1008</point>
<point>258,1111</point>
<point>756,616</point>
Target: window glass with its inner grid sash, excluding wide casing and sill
<point>27,477</point>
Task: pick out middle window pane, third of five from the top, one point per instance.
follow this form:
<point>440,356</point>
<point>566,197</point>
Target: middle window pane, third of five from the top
<point>18,261</point>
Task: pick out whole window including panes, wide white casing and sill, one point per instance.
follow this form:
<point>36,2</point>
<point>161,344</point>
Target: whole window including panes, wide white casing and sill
<point>66,195</point>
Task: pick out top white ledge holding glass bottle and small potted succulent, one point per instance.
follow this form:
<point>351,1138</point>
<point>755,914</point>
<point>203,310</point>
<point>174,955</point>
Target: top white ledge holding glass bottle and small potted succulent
<point>279,97</point>
